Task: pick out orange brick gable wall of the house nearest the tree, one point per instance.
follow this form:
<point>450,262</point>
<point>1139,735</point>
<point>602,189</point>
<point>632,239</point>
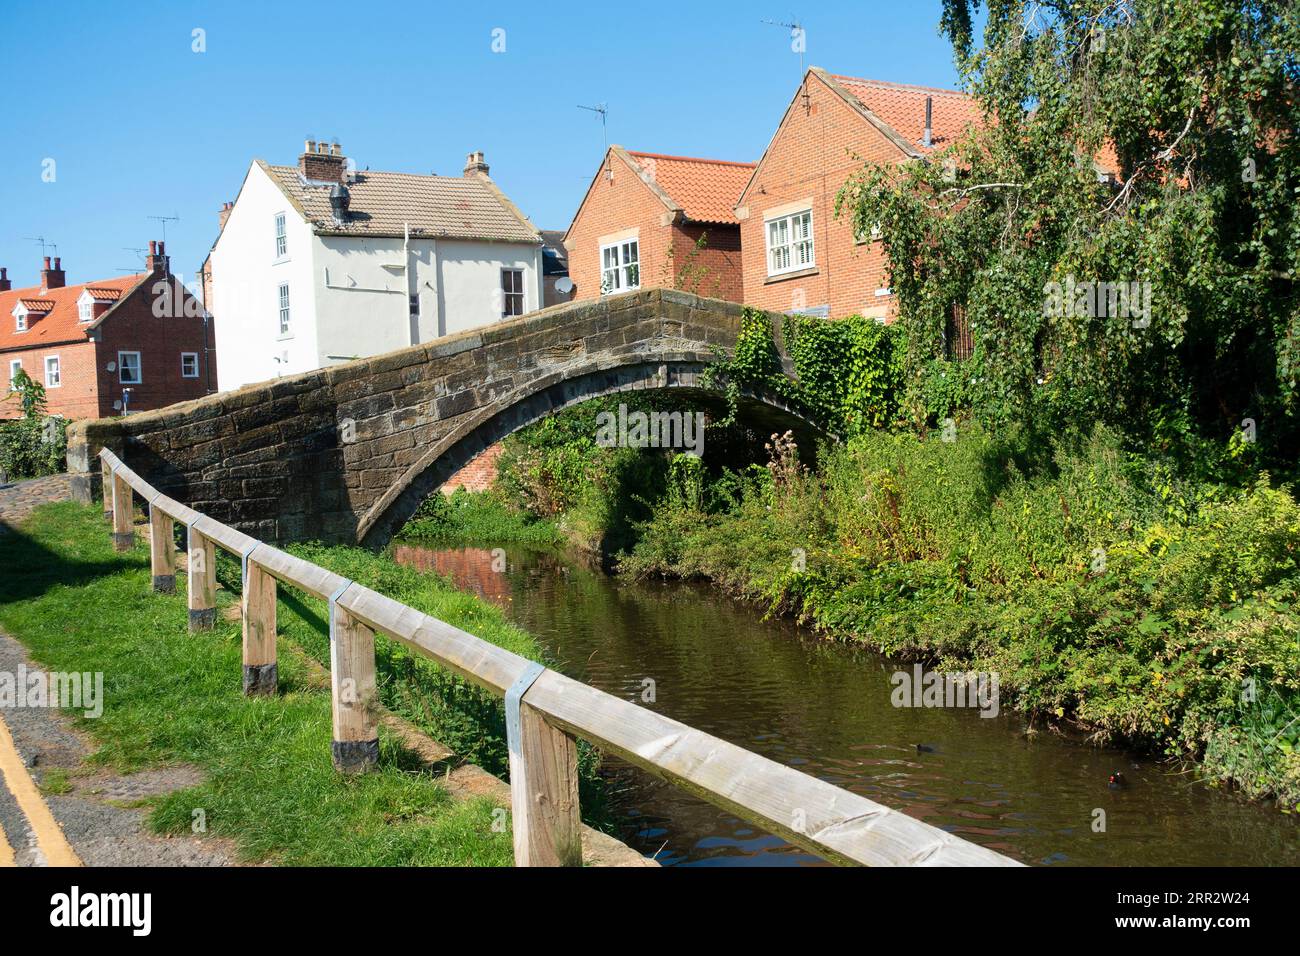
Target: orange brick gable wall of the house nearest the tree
<point>814,153</point>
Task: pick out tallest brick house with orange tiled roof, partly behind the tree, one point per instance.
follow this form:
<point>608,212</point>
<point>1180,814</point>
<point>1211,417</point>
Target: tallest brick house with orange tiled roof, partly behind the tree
<point>798,256</point>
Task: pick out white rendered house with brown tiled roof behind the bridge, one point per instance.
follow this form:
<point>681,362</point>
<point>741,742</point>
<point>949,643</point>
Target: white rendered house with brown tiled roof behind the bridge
<point>319,265</point>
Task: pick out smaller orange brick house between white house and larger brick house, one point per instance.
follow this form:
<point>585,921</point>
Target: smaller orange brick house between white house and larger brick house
<point>657,220</point>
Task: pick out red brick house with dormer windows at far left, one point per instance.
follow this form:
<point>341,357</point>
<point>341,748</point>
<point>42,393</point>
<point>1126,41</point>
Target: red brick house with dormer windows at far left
<point>89,344</point>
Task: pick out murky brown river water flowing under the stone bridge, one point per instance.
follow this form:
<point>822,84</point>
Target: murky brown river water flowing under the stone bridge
<point>826,710</point>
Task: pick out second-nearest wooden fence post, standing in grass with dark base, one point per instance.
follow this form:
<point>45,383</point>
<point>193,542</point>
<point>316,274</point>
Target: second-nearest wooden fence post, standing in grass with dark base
<point>356,694</point>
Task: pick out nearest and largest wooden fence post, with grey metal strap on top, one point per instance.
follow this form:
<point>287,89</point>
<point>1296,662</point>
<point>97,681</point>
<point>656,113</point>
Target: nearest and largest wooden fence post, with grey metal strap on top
<point>545,812</point>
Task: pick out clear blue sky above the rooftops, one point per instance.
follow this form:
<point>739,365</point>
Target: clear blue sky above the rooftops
<point>141,126</point>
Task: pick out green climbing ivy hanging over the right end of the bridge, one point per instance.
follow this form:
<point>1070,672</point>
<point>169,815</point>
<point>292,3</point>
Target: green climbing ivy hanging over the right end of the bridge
<point>847,373</point>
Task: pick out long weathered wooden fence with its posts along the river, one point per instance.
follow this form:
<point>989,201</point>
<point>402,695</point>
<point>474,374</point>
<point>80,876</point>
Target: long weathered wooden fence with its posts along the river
<point>547,712</point>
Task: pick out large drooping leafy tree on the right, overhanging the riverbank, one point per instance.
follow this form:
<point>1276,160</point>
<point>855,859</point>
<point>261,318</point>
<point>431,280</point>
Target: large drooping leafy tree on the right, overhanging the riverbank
<point>1195,327</point>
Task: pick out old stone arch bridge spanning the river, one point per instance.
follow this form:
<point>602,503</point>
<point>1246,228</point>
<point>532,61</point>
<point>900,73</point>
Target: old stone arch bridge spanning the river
<point>348,453</point>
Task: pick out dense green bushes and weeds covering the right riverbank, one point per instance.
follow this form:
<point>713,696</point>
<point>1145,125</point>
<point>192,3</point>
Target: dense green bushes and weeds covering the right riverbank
<point>1102,591</point>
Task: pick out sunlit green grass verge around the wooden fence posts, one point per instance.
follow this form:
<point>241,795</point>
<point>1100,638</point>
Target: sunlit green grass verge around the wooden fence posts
<point>172,697</point>
